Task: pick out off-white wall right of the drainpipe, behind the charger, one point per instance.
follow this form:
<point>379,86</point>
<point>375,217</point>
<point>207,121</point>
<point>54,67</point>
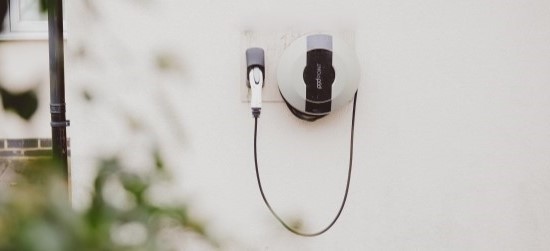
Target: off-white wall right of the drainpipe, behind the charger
<point>452,135</point>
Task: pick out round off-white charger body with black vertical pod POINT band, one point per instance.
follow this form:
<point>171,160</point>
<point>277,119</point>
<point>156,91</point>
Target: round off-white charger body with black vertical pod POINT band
<point>317,74</point>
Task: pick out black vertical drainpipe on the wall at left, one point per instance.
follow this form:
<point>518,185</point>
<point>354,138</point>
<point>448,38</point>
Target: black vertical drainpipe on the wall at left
<point>59,122</point>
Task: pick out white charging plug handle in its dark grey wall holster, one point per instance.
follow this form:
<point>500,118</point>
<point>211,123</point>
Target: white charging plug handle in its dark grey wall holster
<point>255,74</point>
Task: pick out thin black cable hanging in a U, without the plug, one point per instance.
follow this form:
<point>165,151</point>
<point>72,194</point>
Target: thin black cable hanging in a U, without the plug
<point>347,183</point>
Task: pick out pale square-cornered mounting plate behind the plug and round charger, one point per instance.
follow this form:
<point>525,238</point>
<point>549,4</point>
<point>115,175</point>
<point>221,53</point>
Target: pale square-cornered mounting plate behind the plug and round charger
<point>274,44</point>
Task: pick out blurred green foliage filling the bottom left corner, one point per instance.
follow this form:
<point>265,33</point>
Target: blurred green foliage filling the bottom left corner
<point>36,214</point>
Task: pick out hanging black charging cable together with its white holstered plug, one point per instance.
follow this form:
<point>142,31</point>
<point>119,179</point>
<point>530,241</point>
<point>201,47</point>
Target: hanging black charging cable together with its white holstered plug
<point>255,61</point>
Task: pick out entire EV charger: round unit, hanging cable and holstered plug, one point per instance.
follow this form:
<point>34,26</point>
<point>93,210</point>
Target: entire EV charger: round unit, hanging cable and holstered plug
<point>317,74</point>
